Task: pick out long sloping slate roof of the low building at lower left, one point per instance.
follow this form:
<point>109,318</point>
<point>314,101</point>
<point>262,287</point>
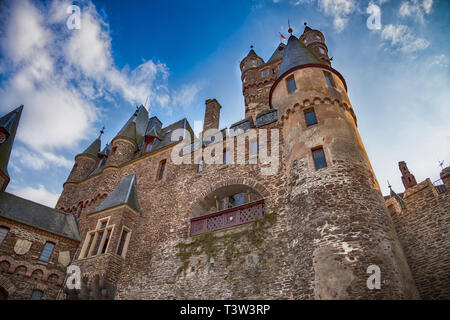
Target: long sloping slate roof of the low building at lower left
<point>39,216</point>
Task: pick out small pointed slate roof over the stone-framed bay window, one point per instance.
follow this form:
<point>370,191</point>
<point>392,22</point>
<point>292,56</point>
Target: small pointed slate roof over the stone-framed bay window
<point>124,193</point>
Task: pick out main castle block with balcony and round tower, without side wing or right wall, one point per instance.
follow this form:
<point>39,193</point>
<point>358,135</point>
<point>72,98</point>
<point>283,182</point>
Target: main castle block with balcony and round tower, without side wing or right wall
<point>154,229</point>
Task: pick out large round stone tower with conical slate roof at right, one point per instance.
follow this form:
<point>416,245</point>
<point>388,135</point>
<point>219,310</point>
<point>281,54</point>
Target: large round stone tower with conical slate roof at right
<point>341,232</point>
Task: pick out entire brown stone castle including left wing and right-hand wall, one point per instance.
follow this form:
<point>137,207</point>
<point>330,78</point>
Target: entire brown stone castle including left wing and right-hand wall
<point>141,225</point>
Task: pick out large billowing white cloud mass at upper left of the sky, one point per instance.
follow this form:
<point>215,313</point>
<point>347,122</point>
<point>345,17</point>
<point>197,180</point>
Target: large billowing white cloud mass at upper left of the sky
<point>57,73</point>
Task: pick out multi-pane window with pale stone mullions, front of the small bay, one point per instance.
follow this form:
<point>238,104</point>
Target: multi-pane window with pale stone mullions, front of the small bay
<point>97,241</point>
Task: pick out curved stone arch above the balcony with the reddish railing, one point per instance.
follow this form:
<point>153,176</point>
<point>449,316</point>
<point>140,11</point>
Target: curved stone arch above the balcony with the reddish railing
<point>206,202</point>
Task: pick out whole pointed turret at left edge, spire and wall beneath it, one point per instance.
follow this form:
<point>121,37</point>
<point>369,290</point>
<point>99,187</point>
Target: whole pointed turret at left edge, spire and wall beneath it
<point>8,129</point>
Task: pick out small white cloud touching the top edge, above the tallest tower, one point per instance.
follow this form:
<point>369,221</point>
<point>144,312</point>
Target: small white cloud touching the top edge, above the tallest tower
<point>339,10</point>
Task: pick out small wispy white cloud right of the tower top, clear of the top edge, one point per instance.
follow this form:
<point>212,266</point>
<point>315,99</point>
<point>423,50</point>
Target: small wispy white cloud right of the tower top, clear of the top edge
<point>403,39</point>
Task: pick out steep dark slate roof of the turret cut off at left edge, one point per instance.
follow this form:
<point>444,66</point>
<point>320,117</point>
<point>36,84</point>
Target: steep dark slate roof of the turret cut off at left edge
<point>8,123</point>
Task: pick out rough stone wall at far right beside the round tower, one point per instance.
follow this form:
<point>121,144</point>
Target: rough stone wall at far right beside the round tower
<point>423,228</point>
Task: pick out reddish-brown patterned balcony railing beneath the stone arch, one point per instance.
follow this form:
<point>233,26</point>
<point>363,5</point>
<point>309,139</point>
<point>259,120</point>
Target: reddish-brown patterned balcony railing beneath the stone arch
<point>228,218</point>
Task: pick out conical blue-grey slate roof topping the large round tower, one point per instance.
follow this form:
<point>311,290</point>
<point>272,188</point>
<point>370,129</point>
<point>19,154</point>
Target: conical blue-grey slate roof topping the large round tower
<point>297,54</point>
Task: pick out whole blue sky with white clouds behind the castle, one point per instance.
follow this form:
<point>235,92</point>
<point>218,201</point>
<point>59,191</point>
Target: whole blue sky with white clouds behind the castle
<point>180,53</point>
